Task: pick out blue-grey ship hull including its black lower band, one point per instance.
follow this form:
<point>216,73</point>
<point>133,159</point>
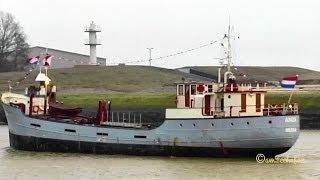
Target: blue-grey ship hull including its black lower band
<point>248,136</point>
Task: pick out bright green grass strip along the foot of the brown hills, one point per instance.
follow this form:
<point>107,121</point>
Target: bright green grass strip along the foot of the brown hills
<point>305,100</point>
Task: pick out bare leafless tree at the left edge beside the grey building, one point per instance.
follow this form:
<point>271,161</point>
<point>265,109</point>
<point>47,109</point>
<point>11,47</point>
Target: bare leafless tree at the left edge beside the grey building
<point>13,45</point>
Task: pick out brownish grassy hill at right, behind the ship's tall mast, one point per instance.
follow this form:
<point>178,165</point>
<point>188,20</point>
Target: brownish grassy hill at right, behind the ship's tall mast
<point>264,74</point>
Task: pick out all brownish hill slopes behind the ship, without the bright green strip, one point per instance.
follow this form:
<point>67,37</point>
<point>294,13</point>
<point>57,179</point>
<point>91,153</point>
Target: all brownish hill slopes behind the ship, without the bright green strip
<point>111,79</point>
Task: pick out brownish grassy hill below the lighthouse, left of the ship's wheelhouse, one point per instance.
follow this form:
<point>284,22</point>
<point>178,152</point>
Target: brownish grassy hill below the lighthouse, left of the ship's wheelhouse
<point>95,79</point>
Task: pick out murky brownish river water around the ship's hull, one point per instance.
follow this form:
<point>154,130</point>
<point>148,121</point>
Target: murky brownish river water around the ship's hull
<point>34,165</point>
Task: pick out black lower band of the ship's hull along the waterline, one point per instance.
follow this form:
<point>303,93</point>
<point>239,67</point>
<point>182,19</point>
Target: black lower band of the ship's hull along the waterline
<point>30,143</point>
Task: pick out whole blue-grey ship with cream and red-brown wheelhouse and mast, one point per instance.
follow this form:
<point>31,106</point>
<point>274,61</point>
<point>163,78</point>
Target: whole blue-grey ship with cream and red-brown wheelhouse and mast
<point>211,119</point>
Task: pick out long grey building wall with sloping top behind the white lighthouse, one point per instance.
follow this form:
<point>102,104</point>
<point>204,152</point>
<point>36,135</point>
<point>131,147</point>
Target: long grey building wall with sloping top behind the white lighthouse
<point>63,59</point>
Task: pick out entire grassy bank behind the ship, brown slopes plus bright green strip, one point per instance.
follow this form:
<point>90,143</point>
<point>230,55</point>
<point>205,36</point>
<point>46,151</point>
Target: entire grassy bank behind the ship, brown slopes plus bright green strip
<point>146,85</point>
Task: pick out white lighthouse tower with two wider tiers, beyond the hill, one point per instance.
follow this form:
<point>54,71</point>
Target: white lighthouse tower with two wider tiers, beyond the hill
<point>93,41</point>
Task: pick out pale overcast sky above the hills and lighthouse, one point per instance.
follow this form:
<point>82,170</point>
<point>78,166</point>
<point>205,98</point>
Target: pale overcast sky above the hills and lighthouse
<point>272,32</point>
